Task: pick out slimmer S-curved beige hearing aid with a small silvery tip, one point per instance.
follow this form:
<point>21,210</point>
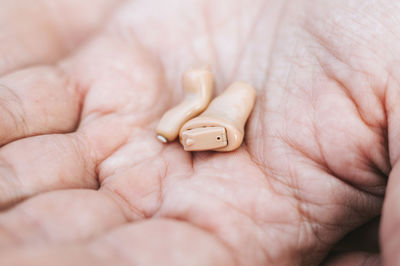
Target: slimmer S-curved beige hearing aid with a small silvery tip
<point>198,85</point>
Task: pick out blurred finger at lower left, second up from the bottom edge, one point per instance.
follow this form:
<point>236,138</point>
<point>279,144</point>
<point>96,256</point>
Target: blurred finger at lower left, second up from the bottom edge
<point>59,217</point>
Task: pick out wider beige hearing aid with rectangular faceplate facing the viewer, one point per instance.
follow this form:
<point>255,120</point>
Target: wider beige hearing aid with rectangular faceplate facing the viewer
<point>221,126</point>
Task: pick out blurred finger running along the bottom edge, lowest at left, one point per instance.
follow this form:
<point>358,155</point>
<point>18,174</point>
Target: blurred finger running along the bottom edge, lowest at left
<point>156,242</point>
